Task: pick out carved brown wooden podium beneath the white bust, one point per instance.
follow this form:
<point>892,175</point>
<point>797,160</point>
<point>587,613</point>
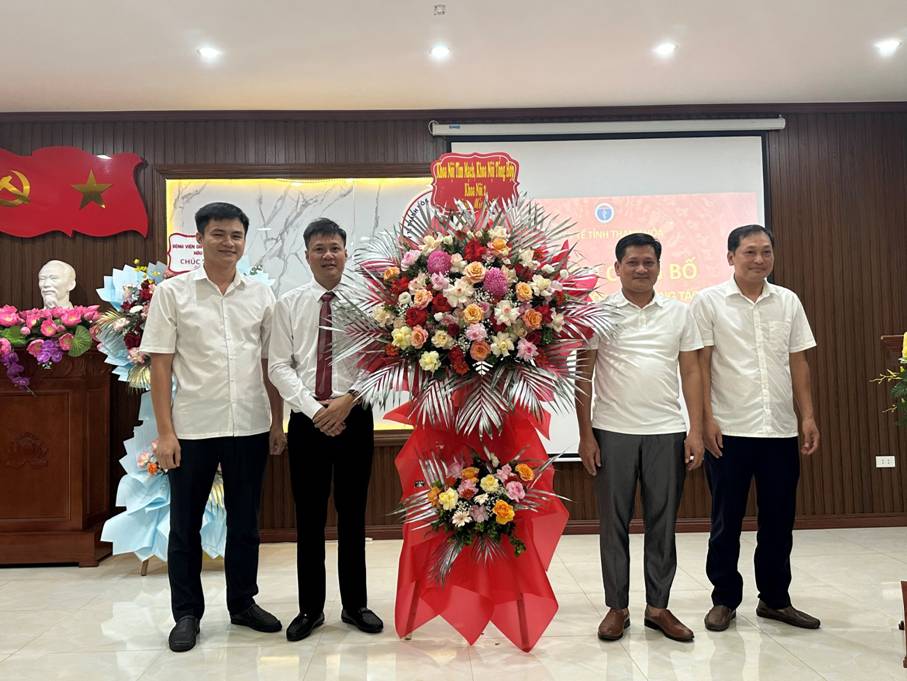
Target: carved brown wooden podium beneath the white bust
<point>54,463</point>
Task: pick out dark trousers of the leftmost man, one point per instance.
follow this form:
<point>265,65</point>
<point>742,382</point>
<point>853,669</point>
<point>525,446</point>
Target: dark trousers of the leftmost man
<point>242,461</point>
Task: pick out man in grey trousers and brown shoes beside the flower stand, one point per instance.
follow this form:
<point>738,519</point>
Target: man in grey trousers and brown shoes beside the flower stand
<point>636,432</point>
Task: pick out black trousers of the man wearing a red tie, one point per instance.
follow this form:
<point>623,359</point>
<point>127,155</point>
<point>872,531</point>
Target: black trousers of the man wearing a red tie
<point>316,462</point>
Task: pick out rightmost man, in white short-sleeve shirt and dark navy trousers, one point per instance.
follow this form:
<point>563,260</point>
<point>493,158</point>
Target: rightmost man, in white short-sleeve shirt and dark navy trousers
<point>754,368</point>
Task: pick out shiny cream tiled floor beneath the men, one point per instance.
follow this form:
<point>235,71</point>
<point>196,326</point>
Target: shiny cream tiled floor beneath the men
<point>111,623</point>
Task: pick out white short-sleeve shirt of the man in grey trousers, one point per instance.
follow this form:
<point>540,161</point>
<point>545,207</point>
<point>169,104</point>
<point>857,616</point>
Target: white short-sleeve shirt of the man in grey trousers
<point>636,383</point>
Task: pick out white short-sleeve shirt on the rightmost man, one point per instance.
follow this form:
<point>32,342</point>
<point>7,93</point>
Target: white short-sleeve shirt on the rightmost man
<point>752,394</point>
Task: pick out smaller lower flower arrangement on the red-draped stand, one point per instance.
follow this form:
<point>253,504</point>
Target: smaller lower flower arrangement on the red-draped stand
<point>475,503</point>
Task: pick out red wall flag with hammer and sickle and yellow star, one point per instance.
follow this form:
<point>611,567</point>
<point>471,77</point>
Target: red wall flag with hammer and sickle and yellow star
<point>64,189</point>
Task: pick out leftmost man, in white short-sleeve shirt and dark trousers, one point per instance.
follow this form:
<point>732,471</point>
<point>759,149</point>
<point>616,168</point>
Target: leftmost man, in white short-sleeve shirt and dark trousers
<point>207,333</point>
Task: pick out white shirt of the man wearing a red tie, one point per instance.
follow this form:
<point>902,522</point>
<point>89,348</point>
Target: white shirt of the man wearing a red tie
<point>293,356</point>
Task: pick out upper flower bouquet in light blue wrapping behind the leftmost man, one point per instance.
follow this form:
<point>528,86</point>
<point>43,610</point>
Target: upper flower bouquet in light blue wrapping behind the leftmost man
<point>120,329</point>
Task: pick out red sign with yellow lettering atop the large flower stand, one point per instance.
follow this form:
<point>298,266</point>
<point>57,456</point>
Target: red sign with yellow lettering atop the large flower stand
<point>476,179</point>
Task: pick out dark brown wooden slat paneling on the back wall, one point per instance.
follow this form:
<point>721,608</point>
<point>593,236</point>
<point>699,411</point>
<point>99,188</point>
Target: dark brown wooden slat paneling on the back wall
<point>838,207</point>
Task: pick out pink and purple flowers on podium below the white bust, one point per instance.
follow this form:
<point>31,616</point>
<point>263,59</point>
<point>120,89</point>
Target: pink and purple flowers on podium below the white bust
<point>46,334</point>
